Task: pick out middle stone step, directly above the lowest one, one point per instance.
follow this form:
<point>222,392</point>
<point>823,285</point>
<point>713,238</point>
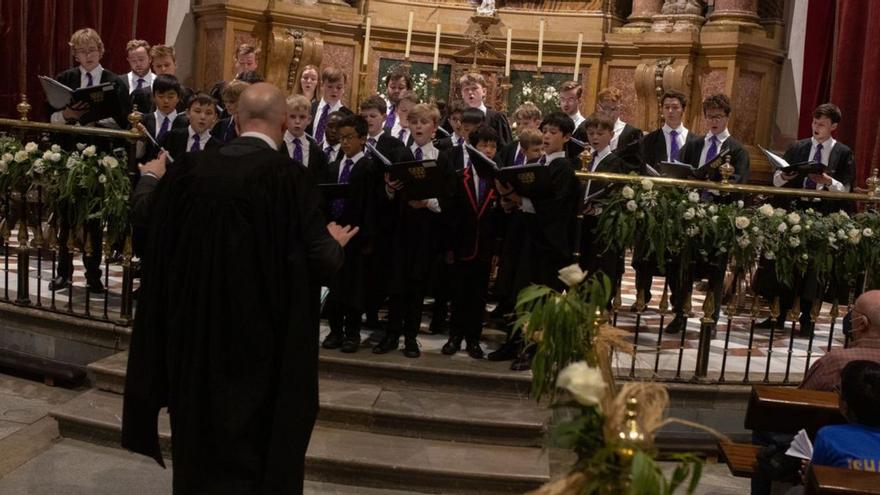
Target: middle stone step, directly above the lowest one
<point>401,409</point>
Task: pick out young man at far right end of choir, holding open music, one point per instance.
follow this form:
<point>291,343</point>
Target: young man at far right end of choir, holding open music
<point>821,147</point>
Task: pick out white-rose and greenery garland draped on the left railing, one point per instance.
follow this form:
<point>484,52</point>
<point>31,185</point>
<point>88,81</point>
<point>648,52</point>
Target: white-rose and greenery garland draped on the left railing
<point>81,185</point>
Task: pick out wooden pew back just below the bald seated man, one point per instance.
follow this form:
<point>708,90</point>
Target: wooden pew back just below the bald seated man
<point>787,410</point>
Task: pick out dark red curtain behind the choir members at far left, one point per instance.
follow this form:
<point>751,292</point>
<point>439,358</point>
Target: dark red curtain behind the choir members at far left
<point>34,35</point>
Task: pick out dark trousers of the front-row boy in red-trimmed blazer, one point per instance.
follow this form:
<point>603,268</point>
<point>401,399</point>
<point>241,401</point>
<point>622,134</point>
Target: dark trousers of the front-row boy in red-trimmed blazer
<point>471,279</point>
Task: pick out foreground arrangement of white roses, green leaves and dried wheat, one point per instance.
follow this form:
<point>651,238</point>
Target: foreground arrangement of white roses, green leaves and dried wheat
<point>612,440</point>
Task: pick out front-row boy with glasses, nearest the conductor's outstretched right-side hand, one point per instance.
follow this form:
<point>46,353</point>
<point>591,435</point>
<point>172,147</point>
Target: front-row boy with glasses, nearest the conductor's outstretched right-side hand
<point>345,302</point>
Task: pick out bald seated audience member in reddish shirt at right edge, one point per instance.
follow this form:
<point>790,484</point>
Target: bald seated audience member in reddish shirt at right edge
<point>824,374</point>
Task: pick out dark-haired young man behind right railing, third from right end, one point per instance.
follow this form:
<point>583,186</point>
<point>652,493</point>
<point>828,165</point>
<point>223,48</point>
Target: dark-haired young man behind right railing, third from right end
<point>661,145</point>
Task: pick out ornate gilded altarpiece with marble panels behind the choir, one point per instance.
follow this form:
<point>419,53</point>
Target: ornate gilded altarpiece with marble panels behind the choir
<point>641,46</point>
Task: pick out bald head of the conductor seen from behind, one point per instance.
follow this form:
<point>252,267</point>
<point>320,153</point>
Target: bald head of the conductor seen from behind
<point>262,108</point>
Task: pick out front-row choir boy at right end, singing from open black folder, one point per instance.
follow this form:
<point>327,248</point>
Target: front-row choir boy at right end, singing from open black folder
<point>549,226</point>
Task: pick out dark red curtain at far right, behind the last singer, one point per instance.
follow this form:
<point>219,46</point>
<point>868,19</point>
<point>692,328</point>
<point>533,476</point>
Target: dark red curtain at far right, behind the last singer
<point>842,65</point>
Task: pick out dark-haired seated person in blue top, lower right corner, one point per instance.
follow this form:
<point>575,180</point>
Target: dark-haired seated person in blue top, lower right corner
<point>855,445</point>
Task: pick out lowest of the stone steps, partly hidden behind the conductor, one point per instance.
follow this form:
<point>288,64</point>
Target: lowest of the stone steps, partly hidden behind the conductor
<point>354,457</point>
